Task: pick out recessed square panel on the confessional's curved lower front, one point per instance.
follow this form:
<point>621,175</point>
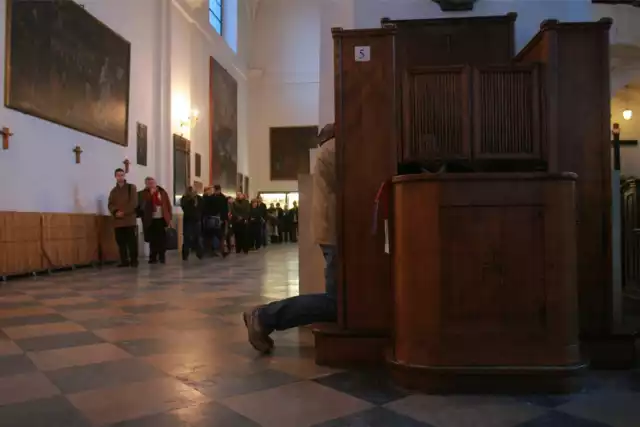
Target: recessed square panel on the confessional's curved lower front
<point>502,282</point>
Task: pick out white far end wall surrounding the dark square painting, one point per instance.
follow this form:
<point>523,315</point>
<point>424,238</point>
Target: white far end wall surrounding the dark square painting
<point>284,80</point>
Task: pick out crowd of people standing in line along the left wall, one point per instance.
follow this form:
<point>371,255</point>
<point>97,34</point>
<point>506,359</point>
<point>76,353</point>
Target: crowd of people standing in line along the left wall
<point>212,224</point>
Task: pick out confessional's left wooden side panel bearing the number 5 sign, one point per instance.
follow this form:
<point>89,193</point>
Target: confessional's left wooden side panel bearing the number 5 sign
<point>365,156</point>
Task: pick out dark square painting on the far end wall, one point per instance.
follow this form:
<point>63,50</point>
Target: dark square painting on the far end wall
<point>289,149</point>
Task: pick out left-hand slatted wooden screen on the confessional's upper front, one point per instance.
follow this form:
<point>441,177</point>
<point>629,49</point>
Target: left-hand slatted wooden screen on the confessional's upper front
<point>436,119</point>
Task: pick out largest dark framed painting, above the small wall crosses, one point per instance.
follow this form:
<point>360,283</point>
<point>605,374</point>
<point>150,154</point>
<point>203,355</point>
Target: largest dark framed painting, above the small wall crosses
<point>65,66</point>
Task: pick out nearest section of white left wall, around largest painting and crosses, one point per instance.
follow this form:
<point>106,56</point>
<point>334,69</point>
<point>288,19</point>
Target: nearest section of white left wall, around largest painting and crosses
<point>38,171</point>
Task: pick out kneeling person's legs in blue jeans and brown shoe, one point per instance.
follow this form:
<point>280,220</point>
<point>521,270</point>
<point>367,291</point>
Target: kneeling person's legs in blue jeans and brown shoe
<point>296,311</point>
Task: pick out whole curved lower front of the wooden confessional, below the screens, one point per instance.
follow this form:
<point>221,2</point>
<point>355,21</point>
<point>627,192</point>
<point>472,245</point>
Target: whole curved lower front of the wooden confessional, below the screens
<point>484,276</point>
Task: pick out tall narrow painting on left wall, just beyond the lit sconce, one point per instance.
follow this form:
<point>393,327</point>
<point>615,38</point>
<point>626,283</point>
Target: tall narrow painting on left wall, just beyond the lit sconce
<point>223,111</point>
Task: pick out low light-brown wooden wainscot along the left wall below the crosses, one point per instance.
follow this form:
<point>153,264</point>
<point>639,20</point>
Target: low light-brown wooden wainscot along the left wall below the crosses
<point>32,242</point>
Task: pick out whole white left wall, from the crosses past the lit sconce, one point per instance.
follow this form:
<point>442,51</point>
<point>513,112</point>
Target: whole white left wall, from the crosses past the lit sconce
<point>171,42</point>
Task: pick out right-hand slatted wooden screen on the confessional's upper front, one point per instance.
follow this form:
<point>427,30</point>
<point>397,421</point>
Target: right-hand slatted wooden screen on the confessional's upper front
<point>506,112</point>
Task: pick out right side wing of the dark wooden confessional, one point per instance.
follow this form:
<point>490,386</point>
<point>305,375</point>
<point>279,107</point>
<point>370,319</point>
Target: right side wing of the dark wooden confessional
<point>577,133</point>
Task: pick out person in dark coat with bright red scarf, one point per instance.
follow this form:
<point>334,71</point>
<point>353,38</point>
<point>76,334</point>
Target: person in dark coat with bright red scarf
<point>156,217</point>
